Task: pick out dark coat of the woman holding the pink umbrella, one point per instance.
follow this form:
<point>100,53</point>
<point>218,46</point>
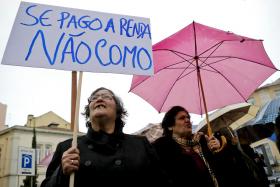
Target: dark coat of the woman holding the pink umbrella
<point>181,168</point>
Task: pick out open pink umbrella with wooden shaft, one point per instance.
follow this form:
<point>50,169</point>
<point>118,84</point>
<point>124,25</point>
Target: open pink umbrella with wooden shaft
<point>203,68</point>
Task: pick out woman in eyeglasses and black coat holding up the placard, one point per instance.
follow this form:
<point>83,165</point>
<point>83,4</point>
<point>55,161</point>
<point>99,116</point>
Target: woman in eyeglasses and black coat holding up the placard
<point>105,155</point>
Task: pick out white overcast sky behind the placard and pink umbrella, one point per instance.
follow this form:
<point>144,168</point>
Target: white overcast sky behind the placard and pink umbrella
<point>37,91</point>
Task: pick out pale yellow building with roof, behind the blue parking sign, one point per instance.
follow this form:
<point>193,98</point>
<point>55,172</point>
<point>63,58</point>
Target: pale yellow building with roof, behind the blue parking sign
<point>50,130</point>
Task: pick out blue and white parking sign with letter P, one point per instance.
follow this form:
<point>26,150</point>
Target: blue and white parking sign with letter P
<point>26,161</point>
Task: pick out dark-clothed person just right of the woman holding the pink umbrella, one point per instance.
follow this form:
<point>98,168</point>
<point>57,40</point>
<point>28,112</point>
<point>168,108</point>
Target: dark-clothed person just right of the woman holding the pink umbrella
<point>237,168</point>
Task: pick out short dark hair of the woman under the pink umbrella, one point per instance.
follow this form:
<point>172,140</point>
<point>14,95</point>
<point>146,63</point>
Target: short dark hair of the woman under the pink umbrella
<point>169,119</point>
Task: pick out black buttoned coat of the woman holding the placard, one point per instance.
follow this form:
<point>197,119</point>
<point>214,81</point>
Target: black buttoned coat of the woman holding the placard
<point>118,160</point>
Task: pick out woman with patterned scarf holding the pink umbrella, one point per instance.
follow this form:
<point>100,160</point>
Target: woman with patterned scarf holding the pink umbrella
<point>187,158</point>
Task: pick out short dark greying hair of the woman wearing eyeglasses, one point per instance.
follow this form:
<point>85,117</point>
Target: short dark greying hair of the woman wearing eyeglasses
<point>120,110</point>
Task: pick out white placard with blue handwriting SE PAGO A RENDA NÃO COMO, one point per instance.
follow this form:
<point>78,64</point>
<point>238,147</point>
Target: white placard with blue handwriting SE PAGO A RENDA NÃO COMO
<point>79,40</point>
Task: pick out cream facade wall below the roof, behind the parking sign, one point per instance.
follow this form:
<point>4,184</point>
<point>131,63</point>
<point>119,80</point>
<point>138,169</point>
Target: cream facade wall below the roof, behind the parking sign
<point>19,136</point>
